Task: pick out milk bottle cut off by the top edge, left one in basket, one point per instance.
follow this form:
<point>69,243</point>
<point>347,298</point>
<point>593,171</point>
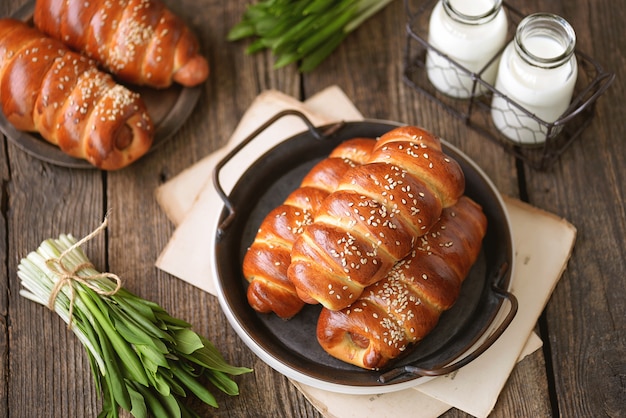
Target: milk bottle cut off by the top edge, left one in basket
<point>470,33</point>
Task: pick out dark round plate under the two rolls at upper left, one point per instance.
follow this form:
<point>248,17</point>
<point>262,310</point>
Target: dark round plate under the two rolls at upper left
<point>169,109</point>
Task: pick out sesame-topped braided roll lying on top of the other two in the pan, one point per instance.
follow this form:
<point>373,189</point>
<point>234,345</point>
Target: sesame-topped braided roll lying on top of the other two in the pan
<point>374,218</point>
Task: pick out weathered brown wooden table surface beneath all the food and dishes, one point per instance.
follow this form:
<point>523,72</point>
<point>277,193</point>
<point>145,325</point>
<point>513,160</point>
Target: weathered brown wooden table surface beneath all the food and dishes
<point>581,370</point>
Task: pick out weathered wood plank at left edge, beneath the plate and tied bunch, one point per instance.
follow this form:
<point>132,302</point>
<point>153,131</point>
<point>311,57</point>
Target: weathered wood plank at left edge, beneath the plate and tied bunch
<point>48,368</point>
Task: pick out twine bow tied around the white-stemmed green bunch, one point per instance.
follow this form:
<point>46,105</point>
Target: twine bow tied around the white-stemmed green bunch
<point>67,276</point>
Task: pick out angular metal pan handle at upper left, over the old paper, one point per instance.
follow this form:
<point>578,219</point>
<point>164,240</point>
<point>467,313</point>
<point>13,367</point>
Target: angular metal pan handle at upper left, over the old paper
<point>317,133</point>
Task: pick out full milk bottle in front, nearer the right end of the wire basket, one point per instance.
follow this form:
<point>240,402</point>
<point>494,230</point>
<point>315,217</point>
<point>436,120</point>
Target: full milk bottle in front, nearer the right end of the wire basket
<point>538,71</point>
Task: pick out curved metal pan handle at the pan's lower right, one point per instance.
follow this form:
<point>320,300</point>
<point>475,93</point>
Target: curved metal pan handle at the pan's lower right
<point>440,371</point>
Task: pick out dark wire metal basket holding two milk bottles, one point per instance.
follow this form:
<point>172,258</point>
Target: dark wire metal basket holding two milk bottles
<point>475,111</point>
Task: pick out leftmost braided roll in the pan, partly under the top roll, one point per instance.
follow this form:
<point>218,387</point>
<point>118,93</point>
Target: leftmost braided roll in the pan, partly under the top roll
<point>266,261</point>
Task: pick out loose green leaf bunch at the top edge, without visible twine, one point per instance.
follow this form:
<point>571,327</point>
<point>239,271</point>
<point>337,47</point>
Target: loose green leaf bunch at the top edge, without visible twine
<point>304,31</point>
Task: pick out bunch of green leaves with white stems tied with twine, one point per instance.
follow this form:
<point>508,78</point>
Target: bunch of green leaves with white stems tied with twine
<point>143,360</point>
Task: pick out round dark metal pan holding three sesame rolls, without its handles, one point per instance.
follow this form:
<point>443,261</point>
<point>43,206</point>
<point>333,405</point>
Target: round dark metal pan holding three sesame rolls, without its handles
<point>290,346</point>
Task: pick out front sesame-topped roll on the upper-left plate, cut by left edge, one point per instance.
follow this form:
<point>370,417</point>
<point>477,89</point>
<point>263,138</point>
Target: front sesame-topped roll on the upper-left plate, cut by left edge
<point>46,88</point>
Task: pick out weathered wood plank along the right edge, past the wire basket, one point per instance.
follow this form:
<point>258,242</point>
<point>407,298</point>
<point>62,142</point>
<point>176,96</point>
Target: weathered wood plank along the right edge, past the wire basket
<point>585,315</point>
